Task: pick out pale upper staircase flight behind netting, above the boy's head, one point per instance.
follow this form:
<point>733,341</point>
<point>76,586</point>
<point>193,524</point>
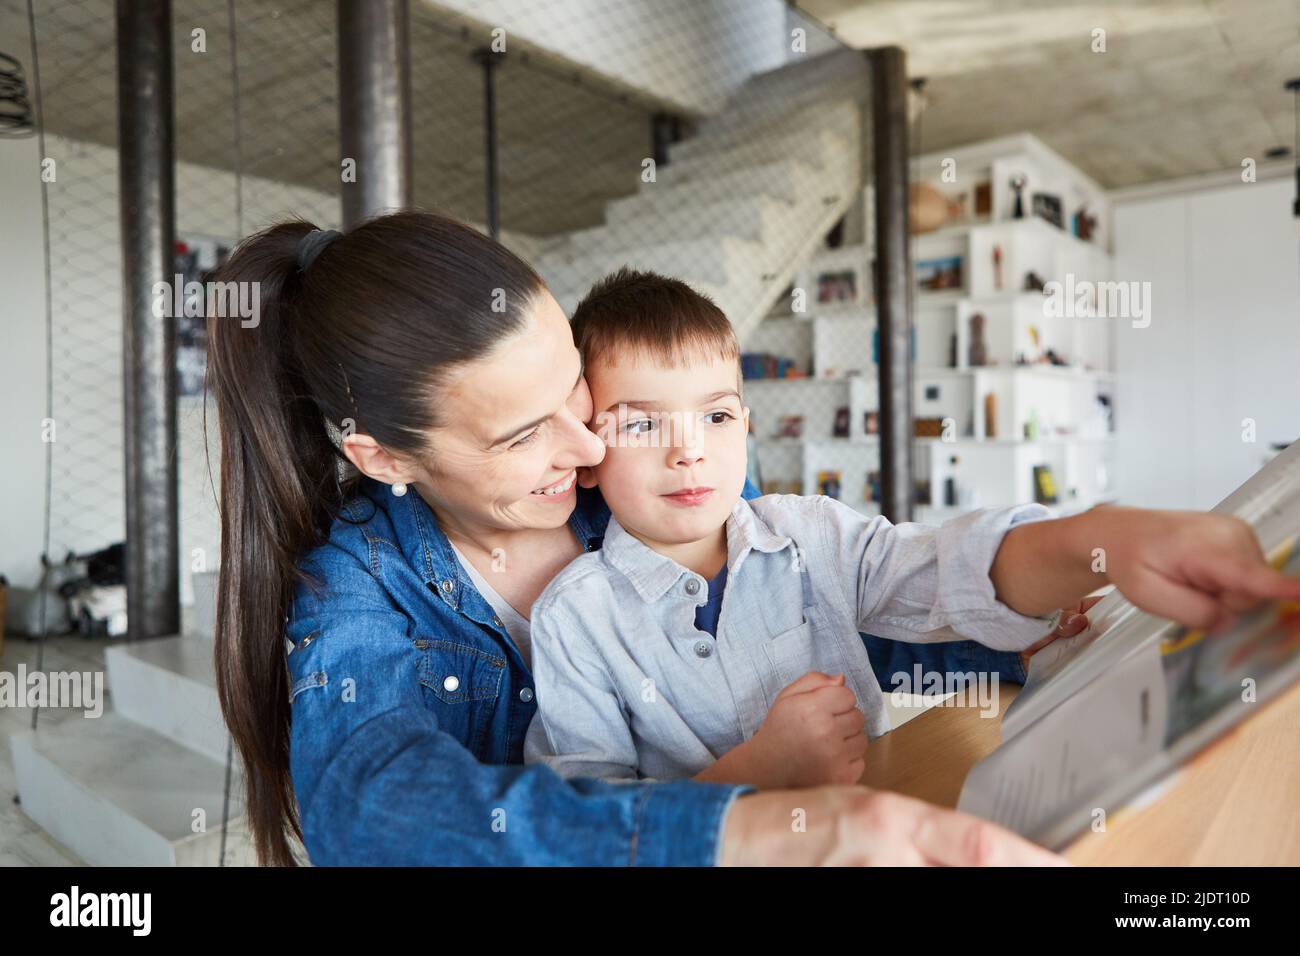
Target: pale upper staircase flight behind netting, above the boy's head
<point>740,207</point>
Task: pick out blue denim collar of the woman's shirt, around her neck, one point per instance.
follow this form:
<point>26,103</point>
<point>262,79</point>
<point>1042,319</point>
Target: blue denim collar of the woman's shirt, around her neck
<point>428,551</point>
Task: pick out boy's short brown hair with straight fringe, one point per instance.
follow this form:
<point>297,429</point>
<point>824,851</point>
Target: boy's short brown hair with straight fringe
<point>653,317</point>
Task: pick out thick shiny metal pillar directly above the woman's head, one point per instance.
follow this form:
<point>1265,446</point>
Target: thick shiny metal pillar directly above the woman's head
<point>375,106</point>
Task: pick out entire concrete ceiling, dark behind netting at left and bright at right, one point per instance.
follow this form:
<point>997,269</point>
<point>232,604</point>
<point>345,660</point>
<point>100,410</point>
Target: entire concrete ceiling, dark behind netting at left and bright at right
<point>1184,88</point>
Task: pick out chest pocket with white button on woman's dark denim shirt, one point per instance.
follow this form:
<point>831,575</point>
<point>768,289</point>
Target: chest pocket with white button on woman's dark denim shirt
<point>465,689</point>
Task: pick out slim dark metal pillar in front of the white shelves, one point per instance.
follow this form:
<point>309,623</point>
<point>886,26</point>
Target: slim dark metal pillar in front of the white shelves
<point>894,278</point>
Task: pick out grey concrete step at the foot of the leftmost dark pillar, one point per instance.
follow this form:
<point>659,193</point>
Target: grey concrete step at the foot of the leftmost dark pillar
<point>168,685</point>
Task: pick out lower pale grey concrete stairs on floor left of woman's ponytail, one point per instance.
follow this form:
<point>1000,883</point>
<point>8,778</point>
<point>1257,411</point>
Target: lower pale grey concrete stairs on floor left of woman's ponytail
<point>142,785</point>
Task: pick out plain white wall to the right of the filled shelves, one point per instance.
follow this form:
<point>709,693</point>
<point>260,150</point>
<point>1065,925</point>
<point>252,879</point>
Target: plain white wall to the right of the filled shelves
<point>1224,343</point>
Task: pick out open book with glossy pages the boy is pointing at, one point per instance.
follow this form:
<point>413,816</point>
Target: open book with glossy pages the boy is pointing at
<point>1111,713</point>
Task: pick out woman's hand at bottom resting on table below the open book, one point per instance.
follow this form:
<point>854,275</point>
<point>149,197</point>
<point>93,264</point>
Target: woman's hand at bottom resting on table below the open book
<point>856,827</point>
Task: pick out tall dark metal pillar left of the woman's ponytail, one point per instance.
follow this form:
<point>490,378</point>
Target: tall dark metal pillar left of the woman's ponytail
<point>148,206</point>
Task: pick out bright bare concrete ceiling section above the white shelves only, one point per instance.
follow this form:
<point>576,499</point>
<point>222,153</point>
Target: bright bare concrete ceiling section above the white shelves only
<point>1184,86</point>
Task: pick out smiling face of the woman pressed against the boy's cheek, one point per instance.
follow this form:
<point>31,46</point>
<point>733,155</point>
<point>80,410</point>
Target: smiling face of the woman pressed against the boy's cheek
<point>514,432</point>
